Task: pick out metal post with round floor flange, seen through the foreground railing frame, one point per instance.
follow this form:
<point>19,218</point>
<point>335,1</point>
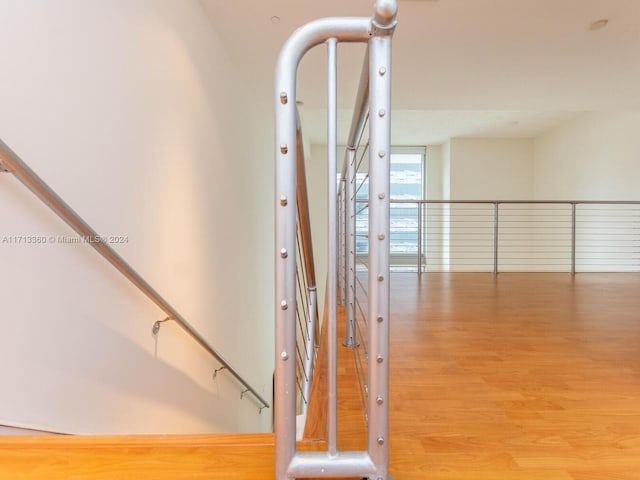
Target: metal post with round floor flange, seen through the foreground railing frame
<point>350,337</point>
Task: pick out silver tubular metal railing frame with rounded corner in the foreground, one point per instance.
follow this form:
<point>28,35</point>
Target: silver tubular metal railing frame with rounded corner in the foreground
<point>374,95</point>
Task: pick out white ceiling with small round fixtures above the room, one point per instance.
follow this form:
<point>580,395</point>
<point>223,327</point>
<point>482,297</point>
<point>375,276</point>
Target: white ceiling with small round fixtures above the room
<point>461,67</point>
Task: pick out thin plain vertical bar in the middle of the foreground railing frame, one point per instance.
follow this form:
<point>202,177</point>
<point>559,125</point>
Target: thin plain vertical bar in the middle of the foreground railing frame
<point>332,270</point>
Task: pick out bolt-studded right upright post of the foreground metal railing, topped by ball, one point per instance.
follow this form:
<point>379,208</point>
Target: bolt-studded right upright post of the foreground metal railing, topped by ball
<point>379,215</point>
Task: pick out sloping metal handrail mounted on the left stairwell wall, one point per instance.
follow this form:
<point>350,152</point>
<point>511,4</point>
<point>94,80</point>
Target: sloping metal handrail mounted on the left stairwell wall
<point>15,165</point>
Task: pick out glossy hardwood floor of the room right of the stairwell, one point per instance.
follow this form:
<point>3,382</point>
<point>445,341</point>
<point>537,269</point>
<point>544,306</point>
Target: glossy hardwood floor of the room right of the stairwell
<point>519,376</point>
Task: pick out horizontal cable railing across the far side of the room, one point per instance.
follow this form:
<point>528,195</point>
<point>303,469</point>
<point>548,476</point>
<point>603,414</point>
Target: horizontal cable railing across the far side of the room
<point>513,236</point>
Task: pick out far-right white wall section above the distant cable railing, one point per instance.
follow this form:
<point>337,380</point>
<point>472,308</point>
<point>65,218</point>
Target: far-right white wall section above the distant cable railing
<point>593,157</point>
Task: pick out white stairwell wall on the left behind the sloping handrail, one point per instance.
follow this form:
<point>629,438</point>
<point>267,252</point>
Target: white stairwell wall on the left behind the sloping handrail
<point>131,110</point>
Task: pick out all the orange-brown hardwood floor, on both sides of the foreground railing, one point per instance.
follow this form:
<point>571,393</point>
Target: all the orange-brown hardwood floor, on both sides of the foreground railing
<point>514,377</point>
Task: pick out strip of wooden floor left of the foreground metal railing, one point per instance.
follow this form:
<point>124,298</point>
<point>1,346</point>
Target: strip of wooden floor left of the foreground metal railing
<point>153,457</point>
